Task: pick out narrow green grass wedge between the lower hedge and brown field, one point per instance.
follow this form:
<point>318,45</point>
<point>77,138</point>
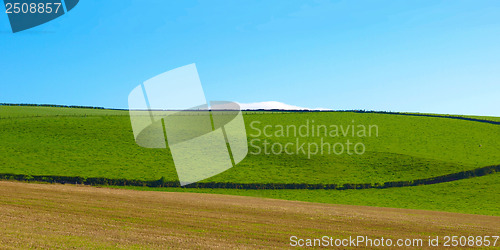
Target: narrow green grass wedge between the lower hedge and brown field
<point>472,196</point>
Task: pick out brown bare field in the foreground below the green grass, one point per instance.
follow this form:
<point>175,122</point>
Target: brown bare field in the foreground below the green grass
<point>69,216</point>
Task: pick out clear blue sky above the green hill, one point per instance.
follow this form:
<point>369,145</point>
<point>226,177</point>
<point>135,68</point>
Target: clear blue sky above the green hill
<point>423,56</point>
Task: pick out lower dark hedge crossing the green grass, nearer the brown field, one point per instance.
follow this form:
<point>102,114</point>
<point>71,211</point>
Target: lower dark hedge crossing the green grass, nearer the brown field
<point>228,185</point>
